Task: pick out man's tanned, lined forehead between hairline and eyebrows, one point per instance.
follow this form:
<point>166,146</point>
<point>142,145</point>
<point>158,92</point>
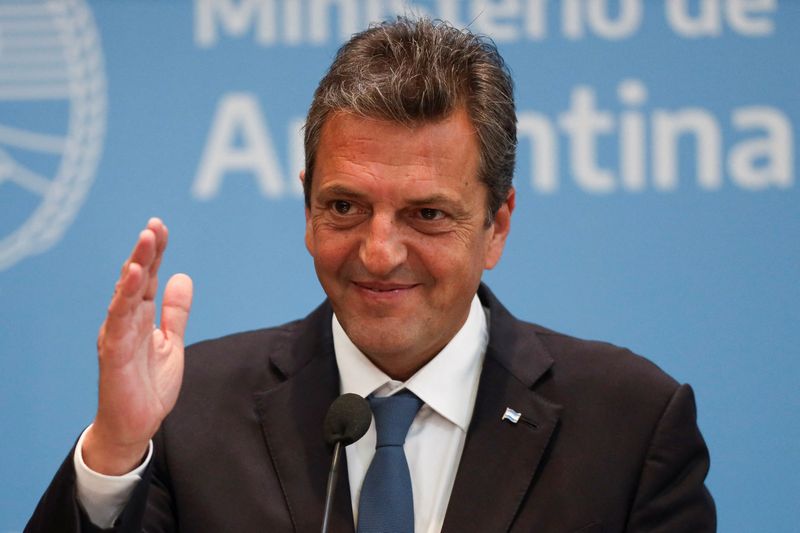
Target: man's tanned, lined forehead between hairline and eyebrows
<point>443,152</point>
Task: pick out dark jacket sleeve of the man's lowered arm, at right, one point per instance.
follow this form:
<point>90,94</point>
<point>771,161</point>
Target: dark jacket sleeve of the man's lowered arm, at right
<point>671,494</point>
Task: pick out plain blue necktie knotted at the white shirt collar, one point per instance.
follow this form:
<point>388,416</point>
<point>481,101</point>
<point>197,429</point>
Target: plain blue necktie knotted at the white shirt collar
<point>386,504</point>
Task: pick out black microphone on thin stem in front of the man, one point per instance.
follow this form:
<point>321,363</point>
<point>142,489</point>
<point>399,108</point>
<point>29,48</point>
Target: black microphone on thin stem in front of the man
<point>348,419</point>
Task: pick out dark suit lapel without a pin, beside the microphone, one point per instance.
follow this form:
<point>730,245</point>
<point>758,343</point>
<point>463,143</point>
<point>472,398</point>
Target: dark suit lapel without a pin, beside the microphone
<point>291,416</point>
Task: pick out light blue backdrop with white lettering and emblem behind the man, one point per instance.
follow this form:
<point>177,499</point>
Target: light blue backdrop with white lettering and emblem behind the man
<point>657,197</point>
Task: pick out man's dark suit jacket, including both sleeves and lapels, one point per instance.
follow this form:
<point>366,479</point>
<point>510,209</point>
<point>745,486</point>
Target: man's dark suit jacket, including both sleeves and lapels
<point>607,442</point>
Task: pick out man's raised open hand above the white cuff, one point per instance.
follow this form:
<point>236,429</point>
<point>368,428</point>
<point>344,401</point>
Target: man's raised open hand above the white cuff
<point>141,364</point>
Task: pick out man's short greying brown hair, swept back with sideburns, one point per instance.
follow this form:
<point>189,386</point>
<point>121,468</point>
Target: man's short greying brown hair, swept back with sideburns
<point>411,71</point>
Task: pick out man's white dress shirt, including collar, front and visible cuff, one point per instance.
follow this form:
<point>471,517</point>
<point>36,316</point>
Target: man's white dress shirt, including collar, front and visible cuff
<point>447,385</point>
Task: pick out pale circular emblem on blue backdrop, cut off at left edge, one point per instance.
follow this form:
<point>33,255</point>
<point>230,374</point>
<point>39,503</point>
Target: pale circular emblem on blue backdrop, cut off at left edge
<point>52,120</point>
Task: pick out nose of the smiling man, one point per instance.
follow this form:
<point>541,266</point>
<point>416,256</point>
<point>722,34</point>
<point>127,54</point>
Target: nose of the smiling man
<point>382,249</point>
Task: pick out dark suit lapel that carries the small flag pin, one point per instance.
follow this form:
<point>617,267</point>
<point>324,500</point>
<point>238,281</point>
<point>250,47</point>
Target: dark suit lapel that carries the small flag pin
<point>500,458</point>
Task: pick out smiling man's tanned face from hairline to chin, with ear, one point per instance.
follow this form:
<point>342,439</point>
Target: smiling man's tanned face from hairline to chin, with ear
<point>396,226</point>
